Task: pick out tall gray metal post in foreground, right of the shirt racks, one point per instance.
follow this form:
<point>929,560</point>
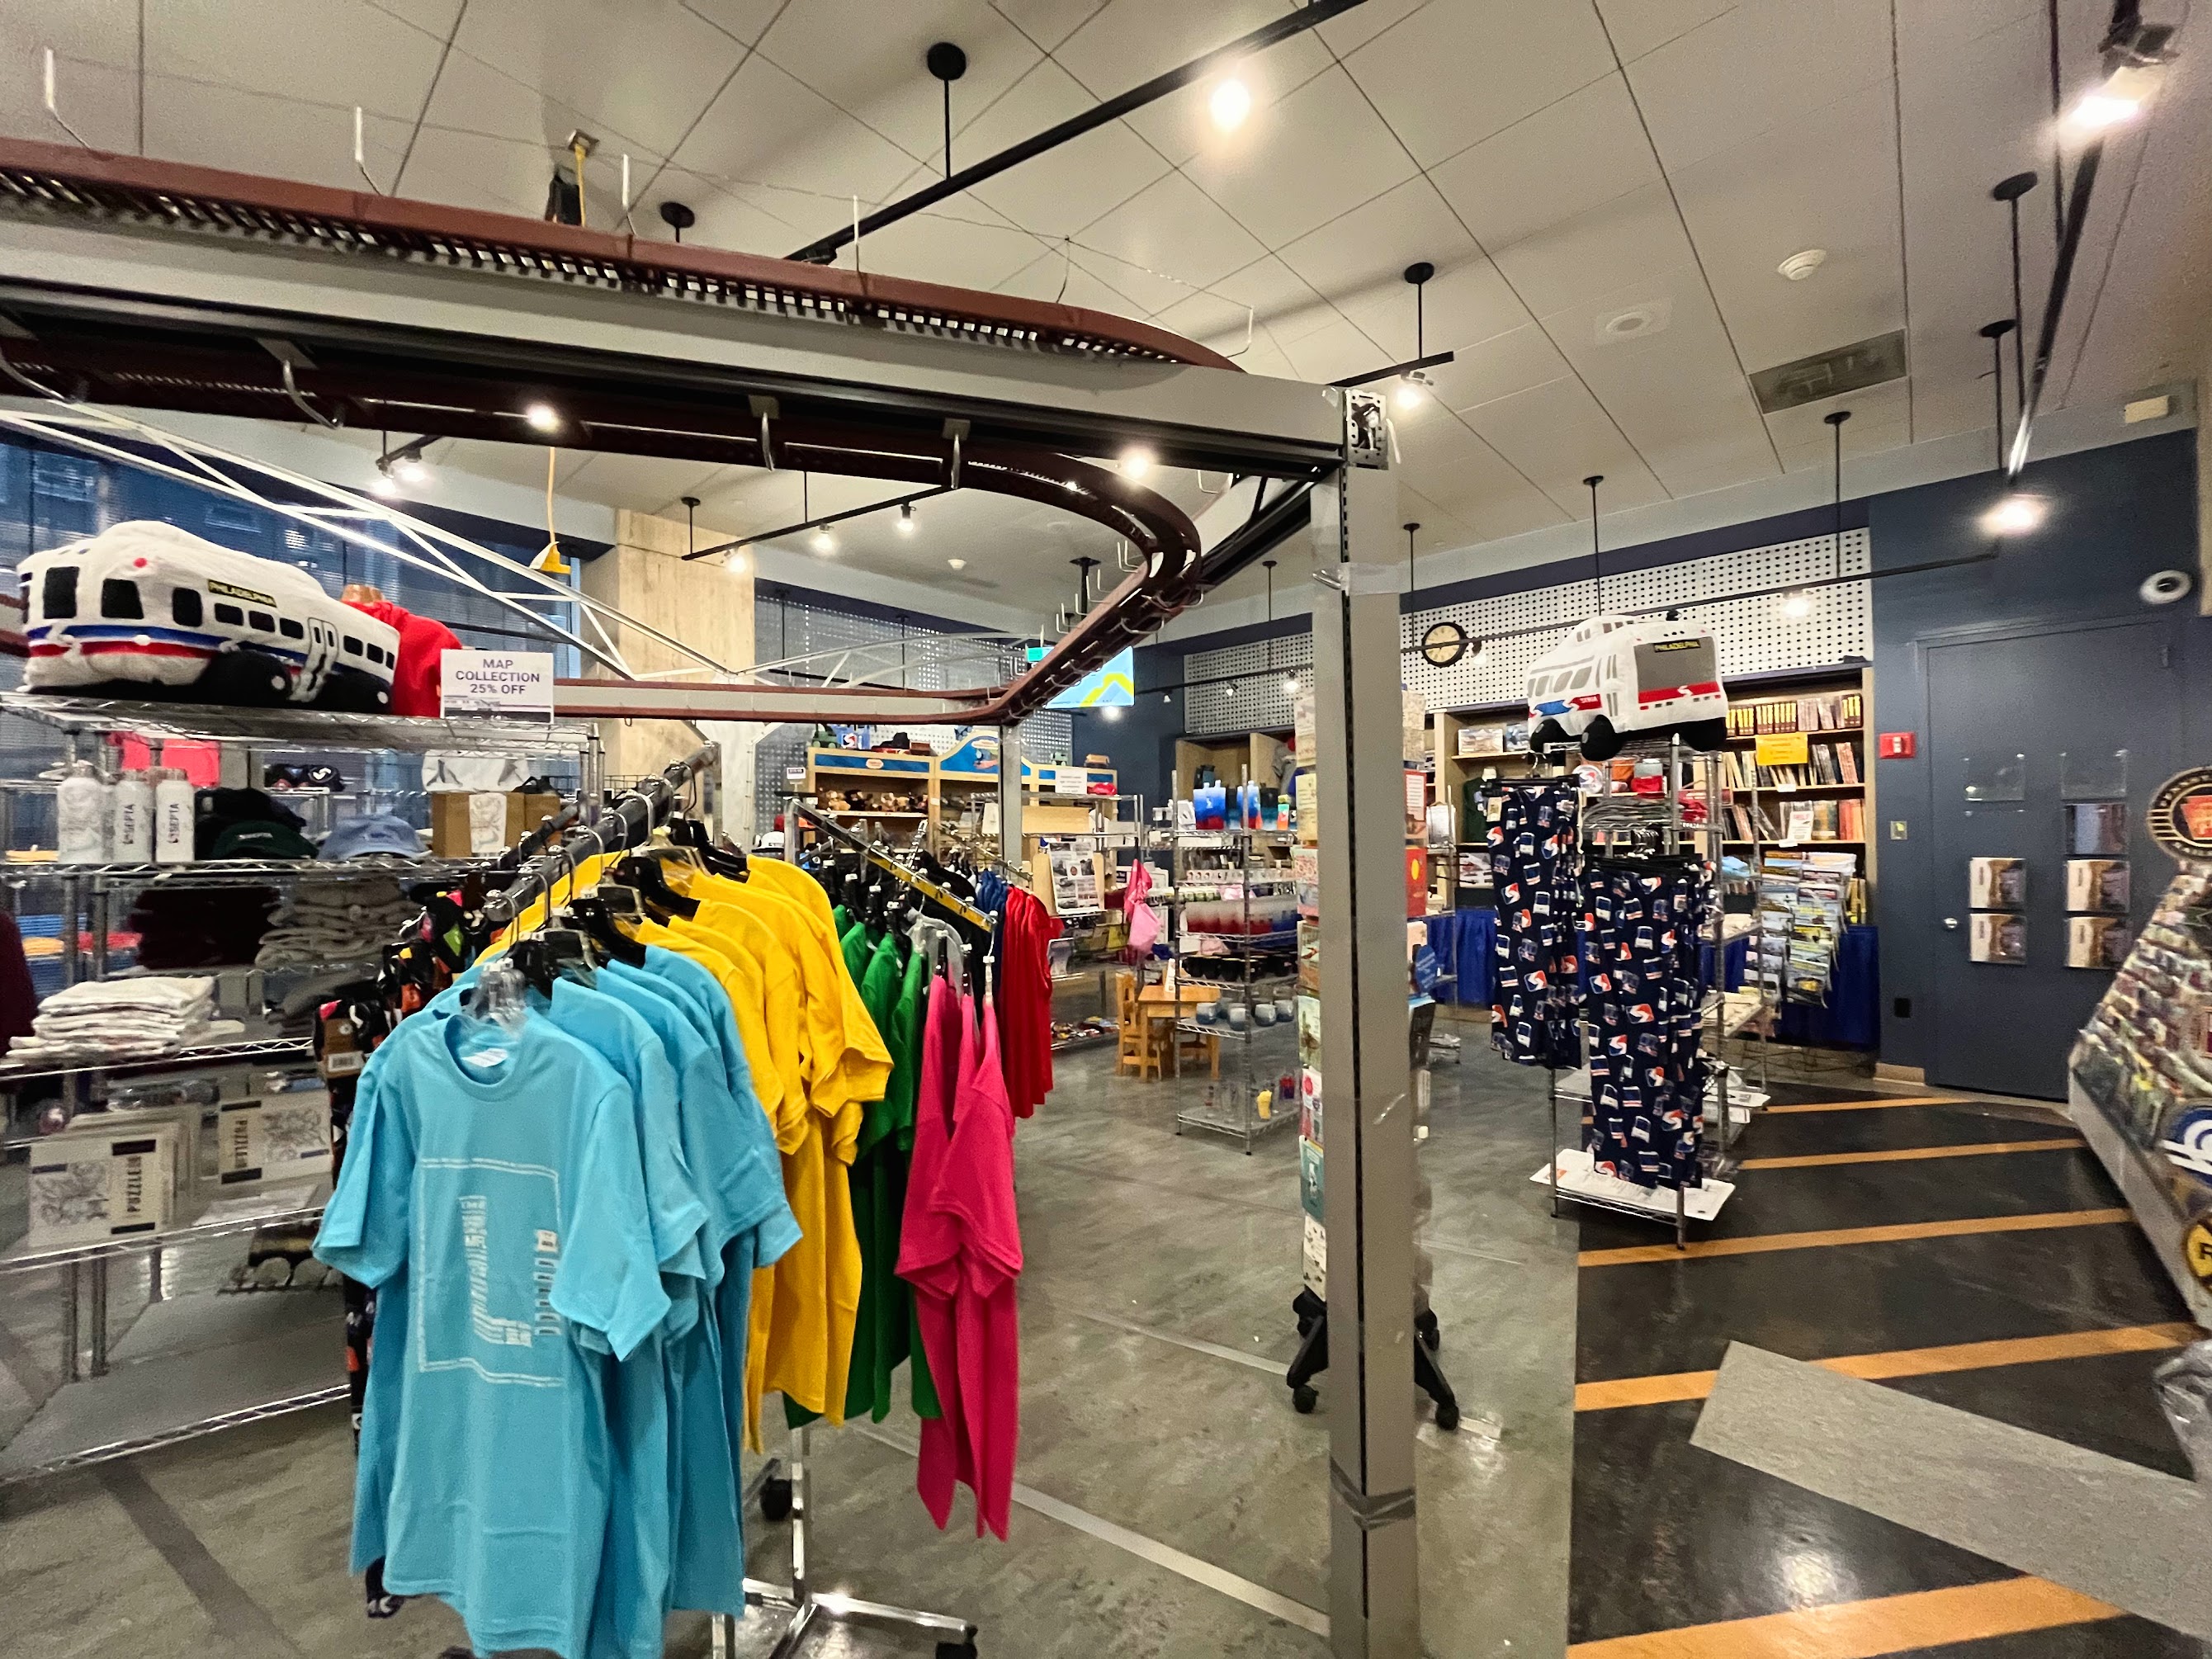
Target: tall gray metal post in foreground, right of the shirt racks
<point>1368,1092</point>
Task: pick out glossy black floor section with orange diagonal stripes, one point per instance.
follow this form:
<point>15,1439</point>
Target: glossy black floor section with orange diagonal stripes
<point>1961,1253</point>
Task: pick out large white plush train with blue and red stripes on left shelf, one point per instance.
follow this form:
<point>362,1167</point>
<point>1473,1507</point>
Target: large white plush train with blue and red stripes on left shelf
<point>152,612</point>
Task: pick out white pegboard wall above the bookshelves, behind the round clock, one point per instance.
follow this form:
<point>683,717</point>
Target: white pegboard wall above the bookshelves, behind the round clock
<point>1755,636</point>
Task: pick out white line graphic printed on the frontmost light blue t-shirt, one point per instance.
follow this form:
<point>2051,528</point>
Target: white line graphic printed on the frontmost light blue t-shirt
<point>494,1229</point>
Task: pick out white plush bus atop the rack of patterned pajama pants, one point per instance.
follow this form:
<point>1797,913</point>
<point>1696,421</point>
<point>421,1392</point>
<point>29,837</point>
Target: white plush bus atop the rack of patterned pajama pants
<point>1620,678</point>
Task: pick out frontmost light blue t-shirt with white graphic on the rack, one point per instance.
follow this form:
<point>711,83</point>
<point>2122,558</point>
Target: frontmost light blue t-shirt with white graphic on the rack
<point>501,1173</point>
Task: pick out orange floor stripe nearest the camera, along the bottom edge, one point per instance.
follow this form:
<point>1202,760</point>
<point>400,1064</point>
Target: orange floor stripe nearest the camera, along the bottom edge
<point>1868,1629</point>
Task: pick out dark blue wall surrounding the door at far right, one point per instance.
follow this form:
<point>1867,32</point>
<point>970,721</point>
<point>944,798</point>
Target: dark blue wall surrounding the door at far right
<point>2118,514</point>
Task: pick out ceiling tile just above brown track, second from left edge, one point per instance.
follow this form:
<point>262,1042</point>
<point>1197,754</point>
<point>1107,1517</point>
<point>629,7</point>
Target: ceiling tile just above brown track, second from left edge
<point>222,127</point>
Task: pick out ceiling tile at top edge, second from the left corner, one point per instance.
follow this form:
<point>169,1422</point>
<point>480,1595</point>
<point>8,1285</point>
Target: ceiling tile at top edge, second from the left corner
<point>335,52</point>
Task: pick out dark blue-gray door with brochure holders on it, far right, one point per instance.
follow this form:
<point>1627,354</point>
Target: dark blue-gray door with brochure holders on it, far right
<point>2021,724</point>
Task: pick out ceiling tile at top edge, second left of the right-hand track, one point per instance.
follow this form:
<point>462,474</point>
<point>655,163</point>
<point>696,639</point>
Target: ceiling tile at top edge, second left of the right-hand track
<point>1757,67</point>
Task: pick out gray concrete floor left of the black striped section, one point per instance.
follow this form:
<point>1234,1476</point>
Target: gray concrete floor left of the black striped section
<point>1178,1503</point>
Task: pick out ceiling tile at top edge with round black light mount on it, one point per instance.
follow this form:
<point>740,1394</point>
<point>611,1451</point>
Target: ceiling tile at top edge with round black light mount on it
<point>868,61</point>
